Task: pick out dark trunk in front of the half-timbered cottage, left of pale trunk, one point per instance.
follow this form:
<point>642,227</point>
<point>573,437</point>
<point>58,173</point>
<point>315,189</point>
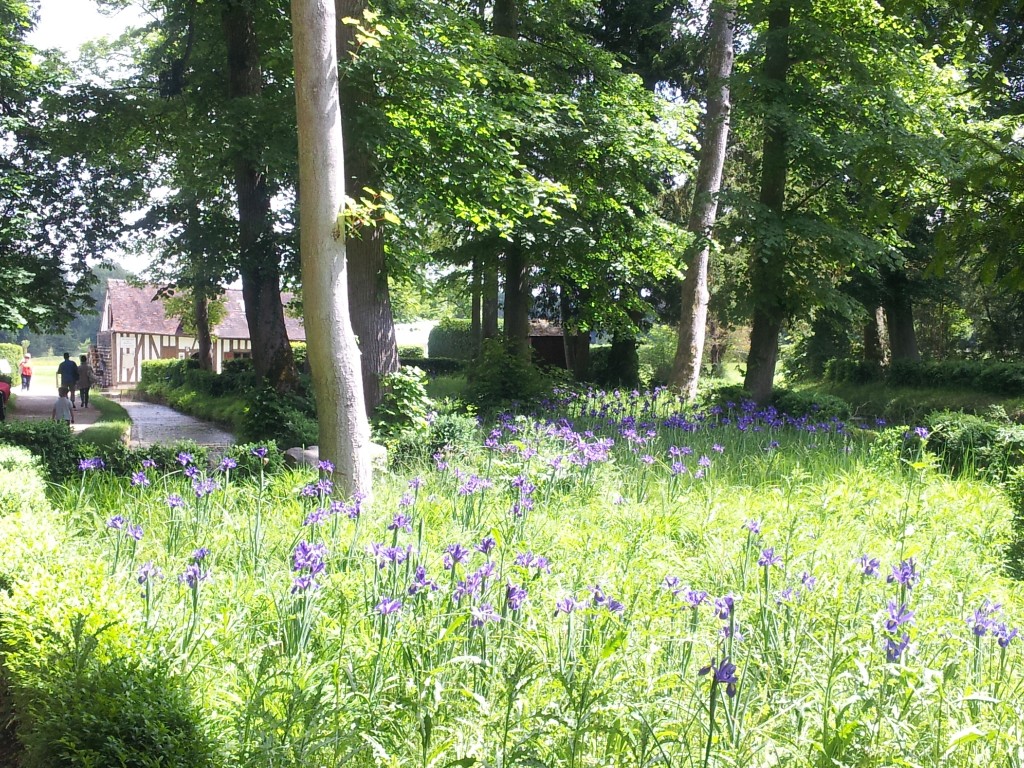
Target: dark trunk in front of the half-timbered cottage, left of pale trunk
<point>259,262</point>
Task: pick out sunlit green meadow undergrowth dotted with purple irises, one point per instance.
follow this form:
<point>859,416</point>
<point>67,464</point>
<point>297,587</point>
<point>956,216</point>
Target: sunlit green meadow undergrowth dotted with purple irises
<point>610,583</point>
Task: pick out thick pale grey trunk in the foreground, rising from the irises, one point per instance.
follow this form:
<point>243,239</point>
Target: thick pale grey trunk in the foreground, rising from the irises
<point>334,355</point>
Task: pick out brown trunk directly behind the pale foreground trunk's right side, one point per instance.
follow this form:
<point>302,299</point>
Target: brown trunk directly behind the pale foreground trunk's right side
<point>369,295</point>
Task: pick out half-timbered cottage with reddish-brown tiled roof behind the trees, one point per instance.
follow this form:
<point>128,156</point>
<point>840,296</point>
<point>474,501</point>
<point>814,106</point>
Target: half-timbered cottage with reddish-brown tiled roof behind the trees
<point>135,328</point>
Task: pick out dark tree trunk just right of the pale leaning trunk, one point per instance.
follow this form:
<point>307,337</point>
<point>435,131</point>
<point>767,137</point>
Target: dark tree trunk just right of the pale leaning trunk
<point>769,265</point>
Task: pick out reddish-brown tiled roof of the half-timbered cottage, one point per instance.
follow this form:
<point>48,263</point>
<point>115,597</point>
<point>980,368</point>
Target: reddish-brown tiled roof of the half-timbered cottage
<point>138,310</point>
